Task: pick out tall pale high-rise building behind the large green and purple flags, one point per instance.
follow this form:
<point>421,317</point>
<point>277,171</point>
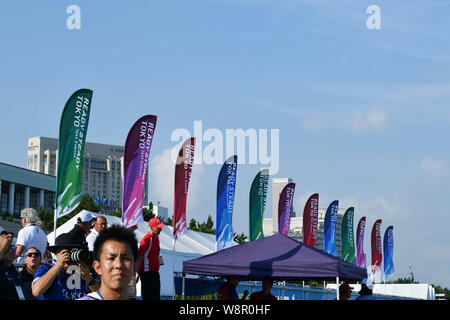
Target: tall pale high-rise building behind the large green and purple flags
<point>102,168</point>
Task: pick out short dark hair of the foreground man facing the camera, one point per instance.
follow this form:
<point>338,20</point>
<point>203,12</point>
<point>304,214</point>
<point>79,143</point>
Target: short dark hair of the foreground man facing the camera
<point>115,233</point>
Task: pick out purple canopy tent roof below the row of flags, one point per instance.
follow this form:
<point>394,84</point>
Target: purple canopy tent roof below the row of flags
<point>277,256</point>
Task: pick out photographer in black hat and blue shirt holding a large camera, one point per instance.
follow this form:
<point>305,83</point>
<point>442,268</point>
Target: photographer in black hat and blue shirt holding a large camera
<point>54,282</point>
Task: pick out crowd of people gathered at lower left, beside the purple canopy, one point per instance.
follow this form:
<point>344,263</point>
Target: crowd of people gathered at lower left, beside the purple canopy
<point>90,262</point>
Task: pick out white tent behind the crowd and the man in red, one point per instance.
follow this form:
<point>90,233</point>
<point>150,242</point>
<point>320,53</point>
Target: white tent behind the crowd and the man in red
<point>191,245</point>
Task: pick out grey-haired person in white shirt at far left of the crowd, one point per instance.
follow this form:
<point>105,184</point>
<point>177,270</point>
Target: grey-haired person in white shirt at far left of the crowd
<point>30,235</point>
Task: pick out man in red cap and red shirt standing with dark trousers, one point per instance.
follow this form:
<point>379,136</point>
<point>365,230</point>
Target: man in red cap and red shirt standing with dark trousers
<point>148,261</point>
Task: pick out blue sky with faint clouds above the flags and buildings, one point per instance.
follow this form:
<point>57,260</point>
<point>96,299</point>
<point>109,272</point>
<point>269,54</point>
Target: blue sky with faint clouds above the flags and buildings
<point>363,115</point>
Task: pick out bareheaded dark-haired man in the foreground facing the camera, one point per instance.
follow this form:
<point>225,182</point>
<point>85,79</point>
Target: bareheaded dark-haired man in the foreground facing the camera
<point>115,253</point>
